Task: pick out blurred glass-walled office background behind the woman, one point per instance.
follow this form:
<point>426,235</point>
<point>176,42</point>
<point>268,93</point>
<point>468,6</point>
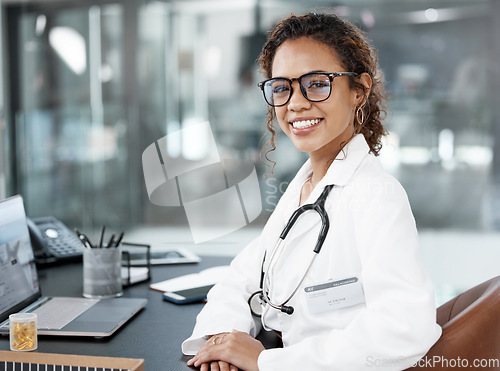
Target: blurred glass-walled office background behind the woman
<point>86,86</point>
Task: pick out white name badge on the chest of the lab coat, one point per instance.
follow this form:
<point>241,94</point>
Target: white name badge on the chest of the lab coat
<point>334,295</point>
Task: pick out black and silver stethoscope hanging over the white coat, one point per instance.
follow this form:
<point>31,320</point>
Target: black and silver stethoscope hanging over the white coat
<point>262,296</point>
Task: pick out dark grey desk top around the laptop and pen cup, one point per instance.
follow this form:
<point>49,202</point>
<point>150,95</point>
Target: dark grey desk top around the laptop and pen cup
<point>155,333</point>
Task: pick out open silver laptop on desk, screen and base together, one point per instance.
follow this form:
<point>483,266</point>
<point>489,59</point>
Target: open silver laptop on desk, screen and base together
<point>20,290</point>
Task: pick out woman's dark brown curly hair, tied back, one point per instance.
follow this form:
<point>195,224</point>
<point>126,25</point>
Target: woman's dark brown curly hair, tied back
<point>354,53</point>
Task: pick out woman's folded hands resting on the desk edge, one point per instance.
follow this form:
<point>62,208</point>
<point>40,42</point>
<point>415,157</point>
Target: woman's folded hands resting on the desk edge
<point>237,349</point>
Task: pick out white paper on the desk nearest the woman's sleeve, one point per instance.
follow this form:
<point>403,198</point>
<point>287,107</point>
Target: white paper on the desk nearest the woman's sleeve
<point>206,277</point>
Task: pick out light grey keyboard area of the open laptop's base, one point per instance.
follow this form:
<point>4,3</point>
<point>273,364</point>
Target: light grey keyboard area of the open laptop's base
<point>58,312</point>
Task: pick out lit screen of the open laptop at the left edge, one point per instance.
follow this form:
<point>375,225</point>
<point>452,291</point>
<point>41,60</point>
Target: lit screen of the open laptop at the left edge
<point>18,275</point>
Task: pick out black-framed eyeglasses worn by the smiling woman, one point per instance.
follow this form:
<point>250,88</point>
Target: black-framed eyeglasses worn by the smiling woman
<point>314,86</point>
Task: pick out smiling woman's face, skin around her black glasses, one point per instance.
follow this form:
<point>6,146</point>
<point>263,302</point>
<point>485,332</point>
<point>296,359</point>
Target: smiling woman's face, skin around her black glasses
<point>332,119</point>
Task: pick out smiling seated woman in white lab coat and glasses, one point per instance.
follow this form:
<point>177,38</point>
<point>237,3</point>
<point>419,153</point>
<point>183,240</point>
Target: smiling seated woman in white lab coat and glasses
<point>364,301</point>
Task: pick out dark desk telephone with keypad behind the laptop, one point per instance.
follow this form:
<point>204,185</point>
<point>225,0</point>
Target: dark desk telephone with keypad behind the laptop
<point>53,242</point>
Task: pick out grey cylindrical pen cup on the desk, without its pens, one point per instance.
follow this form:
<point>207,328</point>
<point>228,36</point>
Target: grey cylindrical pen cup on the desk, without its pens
<point>102,272</point>
